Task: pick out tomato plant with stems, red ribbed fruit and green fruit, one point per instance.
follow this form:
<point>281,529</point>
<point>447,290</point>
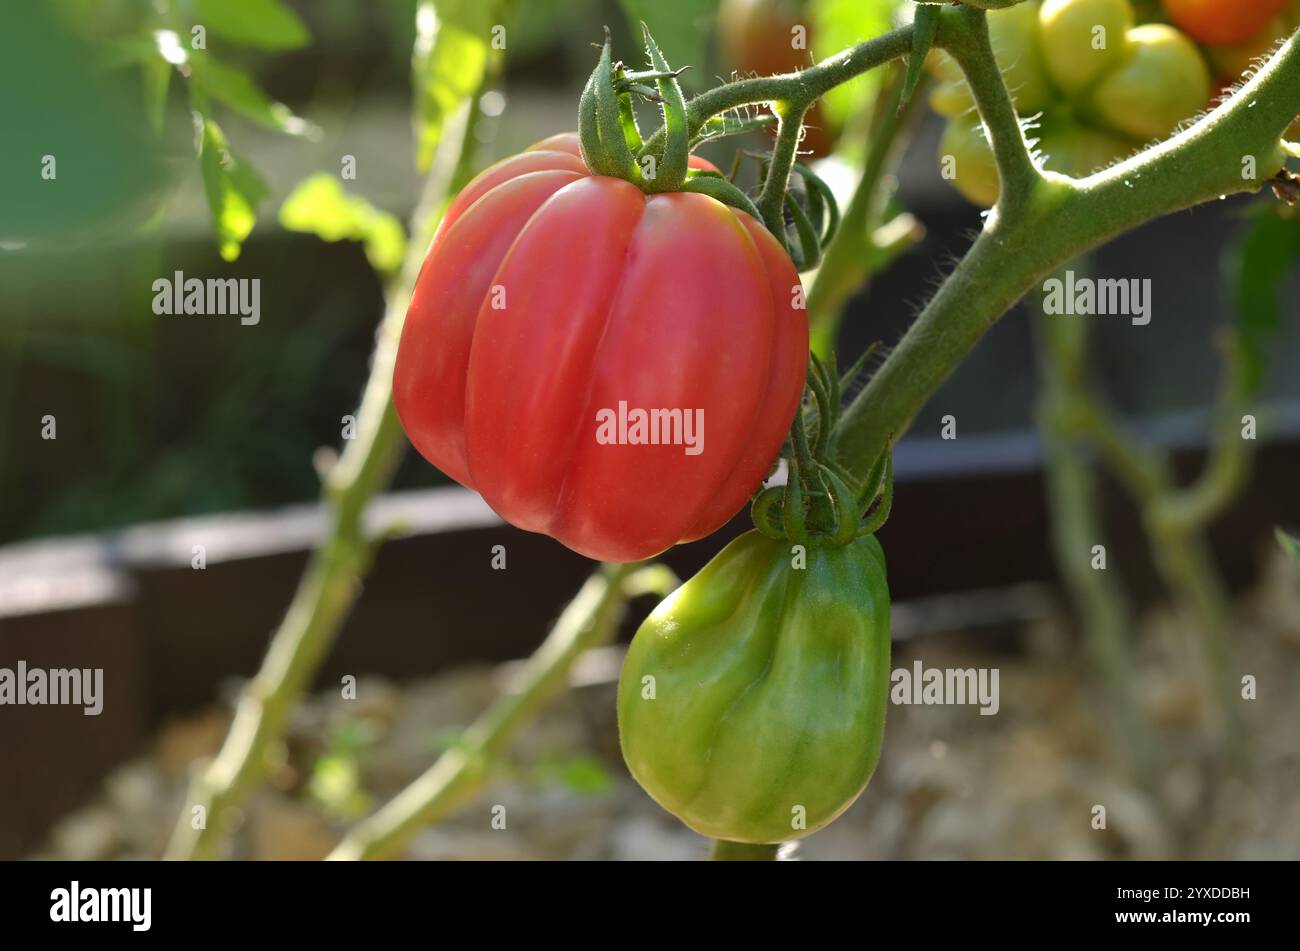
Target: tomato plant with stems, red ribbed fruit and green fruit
<point>609,272</point>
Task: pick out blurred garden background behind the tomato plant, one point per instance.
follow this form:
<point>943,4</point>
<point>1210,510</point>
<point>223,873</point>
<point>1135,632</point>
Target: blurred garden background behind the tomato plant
<point>174,432</point>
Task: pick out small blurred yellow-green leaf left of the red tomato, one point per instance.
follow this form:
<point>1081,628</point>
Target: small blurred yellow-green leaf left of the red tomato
<point>319,206</point>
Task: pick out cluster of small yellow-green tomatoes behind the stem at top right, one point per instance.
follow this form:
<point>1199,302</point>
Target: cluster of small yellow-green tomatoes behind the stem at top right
<point>1103,85</point>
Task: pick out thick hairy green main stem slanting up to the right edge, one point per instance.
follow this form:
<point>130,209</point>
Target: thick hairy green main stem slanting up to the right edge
<point>1060,220</point>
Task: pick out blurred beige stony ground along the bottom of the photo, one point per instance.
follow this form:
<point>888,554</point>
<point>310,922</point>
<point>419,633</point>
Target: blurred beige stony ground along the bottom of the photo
<point>952,784</point>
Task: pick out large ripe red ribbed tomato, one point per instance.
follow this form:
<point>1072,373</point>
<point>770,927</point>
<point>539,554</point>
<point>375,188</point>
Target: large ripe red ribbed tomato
<point>552,306</point>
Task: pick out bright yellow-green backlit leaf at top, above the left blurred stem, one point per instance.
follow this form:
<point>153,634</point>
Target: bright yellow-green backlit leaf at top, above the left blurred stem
<point>448,66</point>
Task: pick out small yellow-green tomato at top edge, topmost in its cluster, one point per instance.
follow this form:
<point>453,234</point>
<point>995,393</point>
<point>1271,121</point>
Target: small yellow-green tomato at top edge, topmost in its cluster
<point>1084,40</point>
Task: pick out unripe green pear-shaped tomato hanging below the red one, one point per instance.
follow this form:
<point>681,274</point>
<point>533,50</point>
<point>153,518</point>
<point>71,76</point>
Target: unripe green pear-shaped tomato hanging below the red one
<point>753,700</point>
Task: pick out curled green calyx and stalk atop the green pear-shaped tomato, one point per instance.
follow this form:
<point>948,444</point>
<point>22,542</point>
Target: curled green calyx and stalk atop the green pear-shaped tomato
<point>821,503</point>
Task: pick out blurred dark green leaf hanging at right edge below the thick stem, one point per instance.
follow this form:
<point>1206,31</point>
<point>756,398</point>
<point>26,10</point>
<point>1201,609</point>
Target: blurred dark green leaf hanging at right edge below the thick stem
<point>1259,267</point>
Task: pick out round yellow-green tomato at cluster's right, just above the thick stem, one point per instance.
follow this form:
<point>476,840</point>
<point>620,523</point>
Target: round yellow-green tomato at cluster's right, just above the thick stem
<point>1162,82</point>
